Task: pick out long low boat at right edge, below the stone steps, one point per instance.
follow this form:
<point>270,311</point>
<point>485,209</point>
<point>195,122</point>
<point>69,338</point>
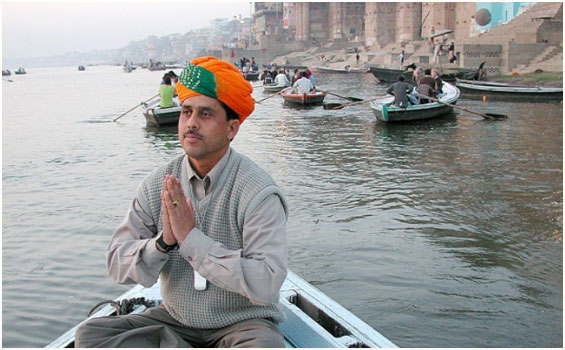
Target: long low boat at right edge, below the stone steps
<point>508,91</point>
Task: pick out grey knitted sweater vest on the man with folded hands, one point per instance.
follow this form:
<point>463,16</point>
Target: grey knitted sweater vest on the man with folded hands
<point>240,189</point>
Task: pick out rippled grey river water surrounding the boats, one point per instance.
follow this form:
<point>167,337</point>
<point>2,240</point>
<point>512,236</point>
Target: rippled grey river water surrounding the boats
<point>442,233</point>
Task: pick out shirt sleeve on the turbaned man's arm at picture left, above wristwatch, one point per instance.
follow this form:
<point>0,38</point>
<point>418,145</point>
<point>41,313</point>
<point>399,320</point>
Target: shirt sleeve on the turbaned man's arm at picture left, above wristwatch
<point>132,256</point>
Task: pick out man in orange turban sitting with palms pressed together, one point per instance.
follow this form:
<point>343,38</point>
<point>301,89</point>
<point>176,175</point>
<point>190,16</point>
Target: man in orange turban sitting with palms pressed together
<point>210,224</point>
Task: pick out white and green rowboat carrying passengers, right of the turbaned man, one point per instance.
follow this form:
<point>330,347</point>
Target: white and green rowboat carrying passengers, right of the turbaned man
<point>386,112</point>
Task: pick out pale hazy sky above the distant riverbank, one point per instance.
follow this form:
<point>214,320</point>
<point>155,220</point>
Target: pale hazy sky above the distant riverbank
<point>48,28</point>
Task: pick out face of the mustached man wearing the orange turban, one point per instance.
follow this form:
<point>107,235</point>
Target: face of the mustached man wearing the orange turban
<point>204,131</point>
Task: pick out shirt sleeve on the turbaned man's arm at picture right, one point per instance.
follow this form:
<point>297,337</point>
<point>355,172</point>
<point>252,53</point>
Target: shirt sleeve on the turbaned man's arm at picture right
<point>258,270</point>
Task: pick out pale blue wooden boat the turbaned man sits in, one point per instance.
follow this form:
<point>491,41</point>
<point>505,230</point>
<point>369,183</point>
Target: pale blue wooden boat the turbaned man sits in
<point>313,320</point>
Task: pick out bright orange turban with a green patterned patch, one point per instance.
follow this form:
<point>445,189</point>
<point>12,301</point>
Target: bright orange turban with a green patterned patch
<point>215,78</point>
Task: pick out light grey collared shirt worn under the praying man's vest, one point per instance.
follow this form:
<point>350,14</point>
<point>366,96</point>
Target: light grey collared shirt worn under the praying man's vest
<point>256,271</point>
